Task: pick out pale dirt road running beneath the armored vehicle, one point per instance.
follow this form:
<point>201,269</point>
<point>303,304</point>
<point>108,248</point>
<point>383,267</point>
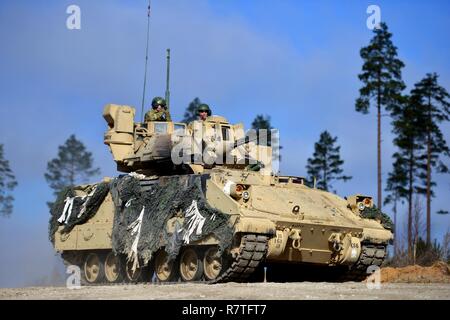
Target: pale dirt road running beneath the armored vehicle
<point>251,291</point>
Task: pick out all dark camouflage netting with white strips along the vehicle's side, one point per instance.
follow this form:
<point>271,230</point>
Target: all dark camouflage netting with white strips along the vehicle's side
<point>142,211</point>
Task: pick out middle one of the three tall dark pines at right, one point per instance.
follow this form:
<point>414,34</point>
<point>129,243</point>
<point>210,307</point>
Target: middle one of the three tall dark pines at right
<point>409,165</point>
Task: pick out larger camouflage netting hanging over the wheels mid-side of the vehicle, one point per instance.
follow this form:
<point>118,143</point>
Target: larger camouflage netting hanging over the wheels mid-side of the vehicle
<point>177,196</point>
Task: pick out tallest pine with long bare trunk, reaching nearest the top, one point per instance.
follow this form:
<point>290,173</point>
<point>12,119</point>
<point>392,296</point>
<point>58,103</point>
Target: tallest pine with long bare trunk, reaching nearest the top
<point>382,79</point>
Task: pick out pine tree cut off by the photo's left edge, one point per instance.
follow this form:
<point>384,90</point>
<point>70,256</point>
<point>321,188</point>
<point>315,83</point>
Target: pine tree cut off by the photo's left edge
<point>7,184</point>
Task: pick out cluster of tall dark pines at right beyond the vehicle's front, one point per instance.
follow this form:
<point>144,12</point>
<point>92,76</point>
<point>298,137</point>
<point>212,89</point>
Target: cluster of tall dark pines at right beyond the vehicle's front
<point>415,118</point>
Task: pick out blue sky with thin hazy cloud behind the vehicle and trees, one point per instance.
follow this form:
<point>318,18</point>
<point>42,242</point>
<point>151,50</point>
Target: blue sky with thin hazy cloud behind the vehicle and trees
<point>296,61</point>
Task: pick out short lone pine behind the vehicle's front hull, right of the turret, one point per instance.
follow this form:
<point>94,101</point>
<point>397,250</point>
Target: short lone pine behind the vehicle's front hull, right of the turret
<point>326,164</point>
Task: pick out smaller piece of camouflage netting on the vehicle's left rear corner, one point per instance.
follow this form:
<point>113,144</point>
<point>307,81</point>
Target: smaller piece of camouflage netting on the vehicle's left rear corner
<point>81,210</point>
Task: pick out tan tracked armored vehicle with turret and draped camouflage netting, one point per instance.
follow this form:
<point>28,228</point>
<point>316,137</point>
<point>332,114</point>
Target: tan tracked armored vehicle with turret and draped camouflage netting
<point>200,202</point>
